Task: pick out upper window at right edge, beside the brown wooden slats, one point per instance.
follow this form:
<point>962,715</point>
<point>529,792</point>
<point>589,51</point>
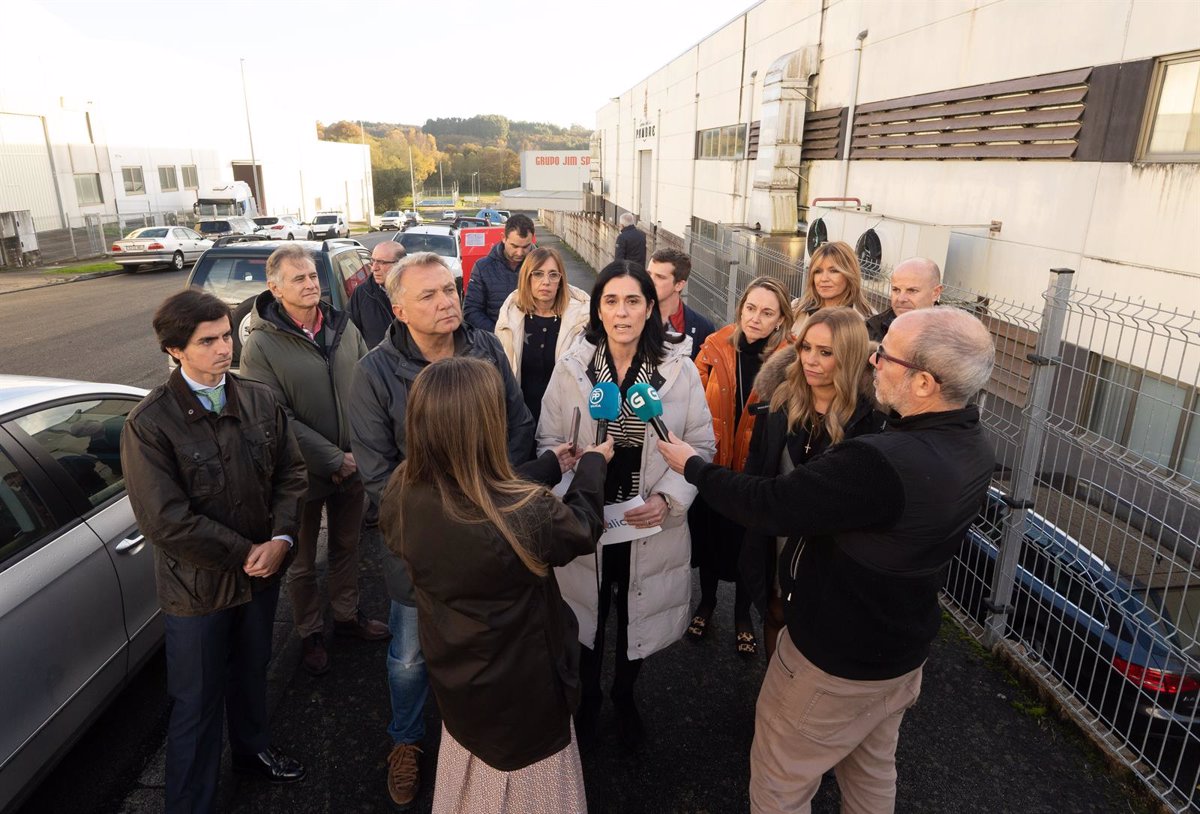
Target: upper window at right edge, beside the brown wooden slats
<point>1173,124</point>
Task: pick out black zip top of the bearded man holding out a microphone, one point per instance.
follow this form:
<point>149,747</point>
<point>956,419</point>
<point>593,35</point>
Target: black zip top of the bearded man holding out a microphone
<point>881,516</point>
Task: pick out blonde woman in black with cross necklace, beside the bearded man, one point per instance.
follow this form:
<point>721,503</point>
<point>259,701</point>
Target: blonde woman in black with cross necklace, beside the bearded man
<point>819,394</point>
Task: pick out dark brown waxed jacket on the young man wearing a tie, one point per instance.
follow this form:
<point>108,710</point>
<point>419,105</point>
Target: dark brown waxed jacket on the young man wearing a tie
<point>206,488</point>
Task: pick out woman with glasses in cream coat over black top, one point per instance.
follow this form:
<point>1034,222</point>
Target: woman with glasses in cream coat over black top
<point>539,321</point>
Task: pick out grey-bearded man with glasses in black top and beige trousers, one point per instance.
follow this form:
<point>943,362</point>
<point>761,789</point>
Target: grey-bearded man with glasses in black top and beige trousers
<point>872,526</point>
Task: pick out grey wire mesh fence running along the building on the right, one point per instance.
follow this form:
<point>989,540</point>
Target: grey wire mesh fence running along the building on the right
<point>1083,566</point>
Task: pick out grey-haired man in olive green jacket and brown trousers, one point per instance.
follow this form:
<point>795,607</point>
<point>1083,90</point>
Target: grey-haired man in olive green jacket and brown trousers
<point>307,352</point>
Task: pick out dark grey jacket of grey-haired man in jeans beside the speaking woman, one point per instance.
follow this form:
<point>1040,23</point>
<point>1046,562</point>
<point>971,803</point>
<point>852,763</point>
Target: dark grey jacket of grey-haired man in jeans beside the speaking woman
<point>379,402</point>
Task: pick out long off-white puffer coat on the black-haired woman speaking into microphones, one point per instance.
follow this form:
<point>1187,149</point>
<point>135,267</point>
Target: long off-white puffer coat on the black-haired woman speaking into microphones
<point>661,565</point>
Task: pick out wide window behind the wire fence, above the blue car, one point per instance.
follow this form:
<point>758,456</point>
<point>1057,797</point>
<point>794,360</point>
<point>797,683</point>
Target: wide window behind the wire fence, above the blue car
<point>1154,418</point>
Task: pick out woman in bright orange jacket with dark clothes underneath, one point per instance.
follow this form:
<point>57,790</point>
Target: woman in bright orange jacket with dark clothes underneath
<point>729,362</point>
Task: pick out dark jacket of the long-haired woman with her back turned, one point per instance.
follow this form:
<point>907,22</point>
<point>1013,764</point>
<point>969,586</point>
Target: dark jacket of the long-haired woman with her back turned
<point>501,644</point>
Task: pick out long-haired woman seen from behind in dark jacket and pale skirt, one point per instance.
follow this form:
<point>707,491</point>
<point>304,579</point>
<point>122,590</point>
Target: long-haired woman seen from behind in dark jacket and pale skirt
<point>500,644</point>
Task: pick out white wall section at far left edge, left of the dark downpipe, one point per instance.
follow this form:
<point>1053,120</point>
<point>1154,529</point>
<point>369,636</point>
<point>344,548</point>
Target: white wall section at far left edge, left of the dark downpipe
<point>26,178</point>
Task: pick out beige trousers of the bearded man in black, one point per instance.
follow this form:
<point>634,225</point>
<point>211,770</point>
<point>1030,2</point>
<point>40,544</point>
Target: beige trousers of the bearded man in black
<point>808,722</point>
